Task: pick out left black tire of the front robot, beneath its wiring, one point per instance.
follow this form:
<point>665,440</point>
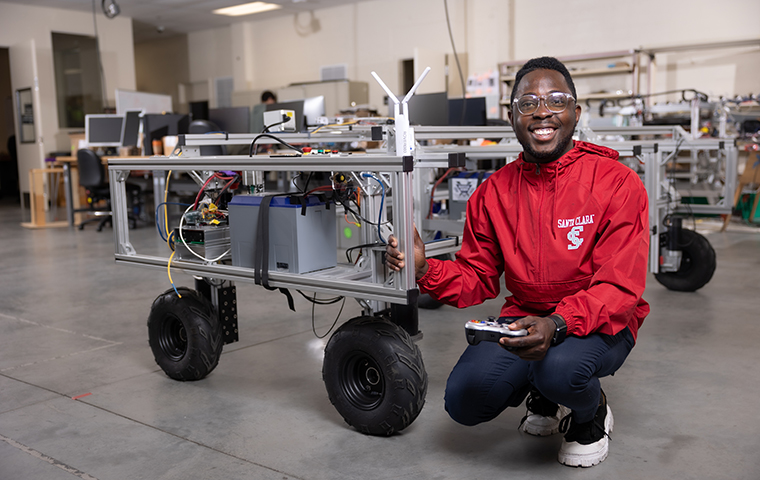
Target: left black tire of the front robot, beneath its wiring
<point>184,334</point>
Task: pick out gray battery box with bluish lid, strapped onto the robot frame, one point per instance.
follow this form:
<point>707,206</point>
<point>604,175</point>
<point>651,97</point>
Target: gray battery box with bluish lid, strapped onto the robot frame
<point>297,243</point>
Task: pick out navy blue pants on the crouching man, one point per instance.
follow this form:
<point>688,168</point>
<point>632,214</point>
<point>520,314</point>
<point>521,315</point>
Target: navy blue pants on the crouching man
<point>488,379</point>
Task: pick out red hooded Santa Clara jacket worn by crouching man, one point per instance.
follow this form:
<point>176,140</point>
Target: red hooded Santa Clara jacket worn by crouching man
<point>571,237</point>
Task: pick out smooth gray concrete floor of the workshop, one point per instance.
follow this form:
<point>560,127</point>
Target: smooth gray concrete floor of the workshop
<point>81,396</point>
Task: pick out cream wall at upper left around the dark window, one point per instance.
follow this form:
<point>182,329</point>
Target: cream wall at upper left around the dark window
<point>21,23</point>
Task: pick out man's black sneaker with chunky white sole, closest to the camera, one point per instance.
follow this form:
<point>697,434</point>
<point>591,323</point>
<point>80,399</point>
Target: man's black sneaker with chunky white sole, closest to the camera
<point>587,444</point>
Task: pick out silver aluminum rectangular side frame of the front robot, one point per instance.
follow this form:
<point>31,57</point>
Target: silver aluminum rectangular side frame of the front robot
<point>364,284</point>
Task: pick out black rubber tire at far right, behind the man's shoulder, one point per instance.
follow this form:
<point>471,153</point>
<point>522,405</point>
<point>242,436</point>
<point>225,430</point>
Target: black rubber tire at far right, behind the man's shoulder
<point>697,263</point>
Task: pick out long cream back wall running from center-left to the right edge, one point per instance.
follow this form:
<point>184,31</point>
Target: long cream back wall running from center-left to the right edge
<point>377,35</point>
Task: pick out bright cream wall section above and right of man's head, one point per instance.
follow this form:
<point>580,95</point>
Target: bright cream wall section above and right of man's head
<point>588,26</point>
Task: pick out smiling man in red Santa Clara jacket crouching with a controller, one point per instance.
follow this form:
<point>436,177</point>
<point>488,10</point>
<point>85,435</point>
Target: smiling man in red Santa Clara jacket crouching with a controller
<point>566,224</point>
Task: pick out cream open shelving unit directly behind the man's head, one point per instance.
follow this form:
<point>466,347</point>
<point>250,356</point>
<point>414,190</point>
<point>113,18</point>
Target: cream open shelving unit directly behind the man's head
<point>596,76</point>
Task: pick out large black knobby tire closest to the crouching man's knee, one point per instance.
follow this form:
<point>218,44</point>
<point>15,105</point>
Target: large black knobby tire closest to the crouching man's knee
<point>374,376</point>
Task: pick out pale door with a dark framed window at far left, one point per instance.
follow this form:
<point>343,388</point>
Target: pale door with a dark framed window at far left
<point>24,75</point>
